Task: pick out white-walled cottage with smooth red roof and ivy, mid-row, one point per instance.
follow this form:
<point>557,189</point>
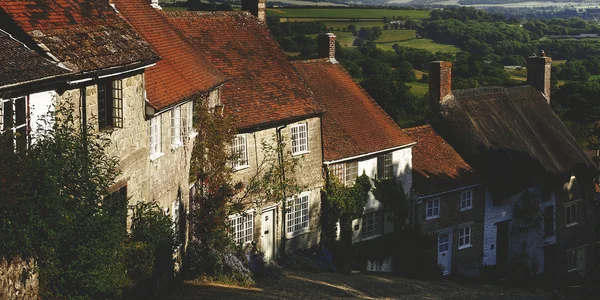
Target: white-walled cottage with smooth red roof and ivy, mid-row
<point>358,137</point>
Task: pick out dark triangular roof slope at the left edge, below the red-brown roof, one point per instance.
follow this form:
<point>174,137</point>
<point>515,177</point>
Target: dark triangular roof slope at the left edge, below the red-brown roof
<point>20,64</point>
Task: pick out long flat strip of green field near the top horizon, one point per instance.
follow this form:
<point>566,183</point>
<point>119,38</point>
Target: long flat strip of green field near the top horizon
<point>362,13</point>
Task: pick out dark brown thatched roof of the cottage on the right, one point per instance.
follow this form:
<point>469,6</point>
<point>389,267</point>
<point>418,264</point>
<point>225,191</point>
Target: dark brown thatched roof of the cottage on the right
<point>510,135</point>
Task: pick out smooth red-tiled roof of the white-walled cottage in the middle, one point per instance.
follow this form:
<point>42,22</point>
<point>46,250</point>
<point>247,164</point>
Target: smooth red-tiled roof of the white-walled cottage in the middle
<point>353,123</point>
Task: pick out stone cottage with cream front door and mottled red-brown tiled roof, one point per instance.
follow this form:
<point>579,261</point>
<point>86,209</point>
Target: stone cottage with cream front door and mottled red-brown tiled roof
<point>269,103</point>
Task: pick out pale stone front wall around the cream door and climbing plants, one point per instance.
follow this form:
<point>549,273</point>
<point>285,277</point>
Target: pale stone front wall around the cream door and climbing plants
<point>308,174</point>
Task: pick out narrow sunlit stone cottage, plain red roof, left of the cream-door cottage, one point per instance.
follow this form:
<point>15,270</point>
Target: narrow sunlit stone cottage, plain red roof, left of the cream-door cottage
<point>179,83</point>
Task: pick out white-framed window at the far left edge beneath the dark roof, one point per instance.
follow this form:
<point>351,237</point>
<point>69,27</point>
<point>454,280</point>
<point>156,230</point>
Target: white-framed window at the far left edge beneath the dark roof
<point>13,120</point>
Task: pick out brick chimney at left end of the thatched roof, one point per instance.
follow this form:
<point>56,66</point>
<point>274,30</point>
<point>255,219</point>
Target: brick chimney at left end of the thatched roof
<point>440,82</point>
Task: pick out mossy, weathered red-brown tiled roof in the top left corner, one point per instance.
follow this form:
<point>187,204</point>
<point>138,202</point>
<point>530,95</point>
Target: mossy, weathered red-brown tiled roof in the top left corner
<point>83,35</point>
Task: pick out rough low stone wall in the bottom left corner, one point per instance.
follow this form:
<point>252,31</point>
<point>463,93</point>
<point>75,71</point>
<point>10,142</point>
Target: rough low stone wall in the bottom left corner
<point>18,280</point>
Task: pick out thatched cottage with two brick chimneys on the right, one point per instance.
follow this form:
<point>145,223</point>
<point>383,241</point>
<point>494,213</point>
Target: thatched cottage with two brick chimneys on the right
<point>539,183</point>
